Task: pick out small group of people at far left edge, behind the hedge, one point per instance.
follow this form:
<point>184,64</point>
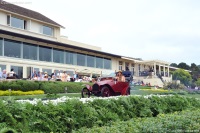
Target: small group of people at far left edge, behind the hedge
<point>9,75</point>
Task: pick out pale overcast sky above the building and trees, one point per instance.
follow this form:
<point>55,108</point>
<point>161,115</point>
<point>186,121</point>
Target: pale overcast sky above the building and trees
<point>166,30</point>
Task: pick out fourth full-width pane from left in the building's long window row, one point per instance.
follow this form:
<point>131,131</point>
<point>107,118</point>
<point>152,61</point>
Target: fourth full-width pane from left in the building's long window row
<point>58,56</point>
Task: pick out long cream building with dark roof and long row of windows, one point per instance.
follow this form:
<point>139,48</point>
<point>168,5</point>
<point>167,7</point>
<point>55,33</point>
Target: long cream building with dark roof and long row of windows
<point>31,41</point>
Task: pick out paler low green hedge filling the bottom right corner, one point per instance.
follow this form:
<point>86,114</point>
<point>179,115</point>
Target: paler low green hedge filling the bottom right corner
<point>186,121</point>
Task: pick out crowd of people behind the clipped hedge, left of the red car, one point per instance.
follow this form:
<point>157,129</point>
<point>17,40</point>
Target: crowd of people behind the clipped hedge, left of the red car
<point>55,76</point>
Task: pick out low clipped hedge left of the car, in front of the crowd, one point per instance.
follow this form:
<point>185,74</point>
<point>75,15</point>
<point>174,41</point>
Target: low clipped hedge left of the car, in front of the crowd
<point>47,87</point>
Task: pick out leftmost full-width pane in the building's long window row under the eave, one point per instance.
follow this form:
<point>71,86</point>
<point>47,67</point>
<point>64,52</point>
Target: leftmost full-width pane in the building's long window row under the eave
<point>12,48</point>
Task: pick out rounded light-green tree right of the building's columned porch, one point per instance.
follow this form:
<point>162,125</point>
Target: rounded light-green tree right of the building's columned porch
<point>183,76</point>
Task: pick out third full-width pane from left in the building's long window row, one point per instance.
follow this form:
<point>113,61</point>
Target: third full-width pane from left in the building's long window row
<point>45,54</point>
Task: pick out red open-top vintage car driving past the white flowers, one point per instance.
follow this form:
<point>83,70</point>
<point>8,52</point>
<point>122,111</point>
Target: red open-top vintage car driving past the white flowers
<point>105,87</point>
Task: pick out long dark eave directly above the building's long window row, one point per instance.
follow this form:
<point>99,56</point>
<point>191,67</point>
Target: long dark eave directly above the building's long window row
<point>55,43</point>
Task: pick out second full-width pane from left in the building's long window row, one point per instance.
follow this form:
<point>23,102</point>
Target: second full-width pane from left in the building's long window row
<point>30,51</point>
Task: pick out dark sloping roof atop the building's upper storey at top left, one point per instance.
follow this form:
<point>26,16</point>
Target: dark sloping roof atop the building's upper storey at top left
<point>26,12</point>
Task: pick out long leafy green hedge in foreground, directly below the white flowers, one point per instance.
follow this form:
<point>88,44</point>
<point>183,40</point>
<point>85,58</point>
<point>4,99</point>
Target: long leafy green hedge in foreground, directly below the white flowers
<point>73,114</point>
